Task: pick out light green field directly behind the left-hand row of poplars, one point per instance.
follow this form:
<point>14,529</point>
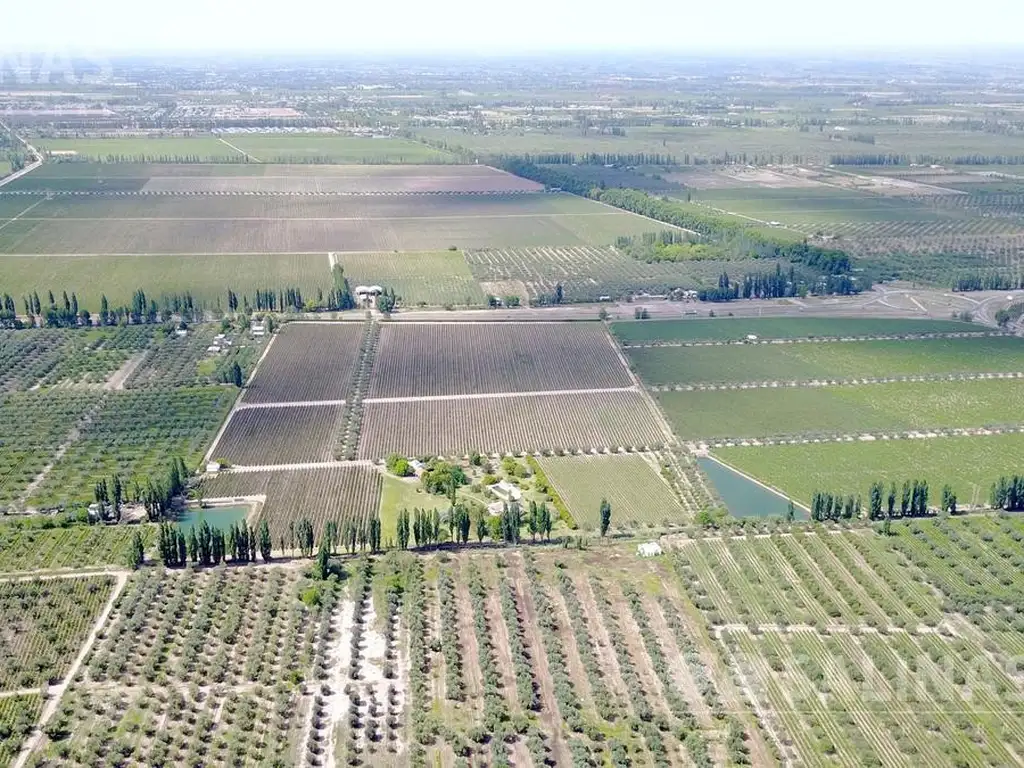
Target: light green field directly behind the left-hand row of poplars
<point>207,278</point>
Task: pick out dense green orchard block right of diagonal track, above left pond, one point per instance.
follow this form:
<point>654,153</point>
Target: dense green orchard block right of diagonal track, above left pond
<point>135,435</point>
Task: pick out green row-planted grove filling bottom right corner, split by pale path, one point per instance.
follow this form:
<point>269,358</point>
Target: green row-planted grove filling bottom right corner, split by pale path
<point>891,650</point>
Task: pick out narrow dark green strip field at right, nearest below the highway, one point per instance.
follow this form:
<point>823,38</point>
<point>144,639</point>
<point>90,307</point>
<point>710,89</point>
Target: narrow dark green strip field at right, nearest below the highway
<point>733,329</point>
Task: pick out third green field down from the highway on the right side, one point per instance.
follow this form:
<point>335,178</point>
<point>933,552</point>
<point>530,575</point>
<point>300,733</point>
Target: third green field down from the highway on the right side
<point>844,410</point>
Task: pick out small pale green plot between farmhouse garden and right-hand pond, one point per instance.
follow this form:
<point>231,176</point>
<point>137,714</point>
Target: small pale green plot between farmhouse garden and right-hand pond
<point>639,498</point>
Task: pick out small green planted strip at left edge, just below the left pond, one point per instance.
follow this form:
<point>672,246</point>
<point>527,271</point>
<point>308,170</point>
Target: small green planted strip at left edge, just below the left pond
<point>33,548</point>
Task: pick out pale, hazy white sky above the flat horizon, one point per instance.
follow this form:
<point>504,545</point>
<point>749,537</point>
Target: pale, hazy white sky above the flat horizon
<point>476,27</point>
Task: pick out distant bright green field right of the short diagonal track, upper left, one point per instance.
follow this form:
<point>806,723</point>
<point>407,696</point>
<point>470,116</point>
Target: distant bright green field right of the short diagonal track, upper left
<point>331,148</point>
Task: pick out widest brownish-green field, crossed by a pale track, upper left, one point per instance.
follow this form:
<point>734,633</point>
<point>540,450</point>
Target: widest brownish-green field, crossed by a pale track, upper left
<point>182,225</point>
